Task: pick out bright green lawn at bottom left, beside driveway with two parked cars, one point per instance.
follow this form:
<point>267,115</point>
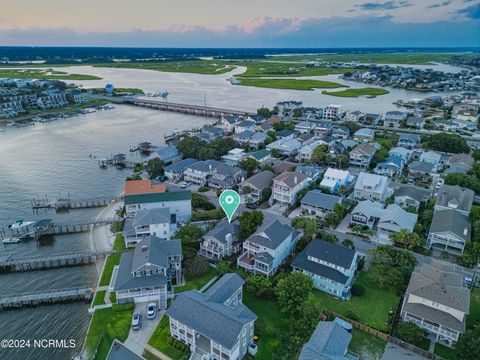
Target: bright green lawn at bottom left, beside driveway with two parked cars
<point>112,323</point>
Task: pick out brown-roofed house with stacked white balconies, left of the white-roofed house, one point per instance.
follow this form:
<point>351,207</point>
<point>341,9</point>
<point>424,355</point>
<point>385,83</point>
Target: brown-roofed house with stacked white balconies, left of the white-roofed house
<point>287,185</point>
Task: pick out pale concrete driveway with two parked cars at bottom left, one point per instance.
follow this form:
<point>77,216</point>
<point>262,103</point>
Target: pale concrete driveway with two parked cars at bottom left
<point>138,340</point>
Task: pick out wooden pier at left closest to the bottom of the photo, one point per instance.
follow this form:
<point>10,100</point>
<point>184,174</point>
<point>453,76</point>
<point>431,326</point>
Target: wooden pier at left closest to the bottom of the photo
<point>46,297</point>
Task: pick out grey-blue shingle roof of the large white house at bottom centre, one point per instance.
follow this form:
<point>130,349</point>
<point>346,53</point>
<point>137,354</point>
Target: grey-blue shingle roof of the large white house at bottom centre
<point>214,320</point>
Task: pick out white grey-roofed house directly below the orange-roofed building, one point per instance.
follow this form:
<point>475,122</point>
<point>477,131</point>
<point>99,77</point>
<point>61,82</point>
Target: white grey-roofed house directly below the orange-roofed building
<point>149,222</point>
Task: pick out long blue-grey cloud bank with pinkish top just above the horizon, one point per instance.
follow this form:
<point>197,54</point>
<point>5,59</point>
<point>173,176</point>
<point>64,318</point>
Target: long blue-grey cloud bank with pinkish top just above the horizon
<point>268,32</point>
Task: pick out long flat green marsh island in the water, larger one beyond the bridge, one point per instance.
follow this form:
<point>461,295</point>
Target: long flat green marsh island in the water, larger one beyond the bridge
<point>293,84</point>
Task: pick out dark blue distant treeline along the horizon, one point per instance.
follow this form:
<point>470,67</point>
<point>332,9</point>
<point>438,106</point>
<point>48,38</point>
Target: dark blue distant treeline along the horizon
<point>67,55</point>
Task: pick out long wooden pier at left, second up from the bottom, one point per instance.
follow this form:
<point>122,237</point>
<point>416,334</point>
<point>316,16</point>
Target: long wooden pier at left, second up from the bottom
<point>9,263</point>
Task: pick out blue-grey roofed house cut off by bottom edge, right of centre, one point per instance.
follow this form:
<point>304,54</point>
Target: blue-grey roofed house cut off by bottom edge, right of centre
<point>329,341</point>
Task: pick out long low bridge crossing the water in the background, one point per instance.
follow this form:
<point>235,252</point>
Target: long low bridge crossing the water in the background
<point>189,109</point>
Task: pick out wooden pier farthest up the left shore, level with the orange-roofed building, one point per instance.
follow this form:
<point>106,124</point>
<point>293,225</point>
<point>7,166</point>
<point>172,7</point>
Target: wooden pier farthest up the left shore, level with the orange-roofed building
<point>66,203</point>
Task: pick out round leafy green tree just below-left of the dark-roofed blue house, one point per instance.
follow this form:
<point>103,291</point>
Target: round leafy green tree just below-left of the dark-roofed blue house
<point>292,291</point>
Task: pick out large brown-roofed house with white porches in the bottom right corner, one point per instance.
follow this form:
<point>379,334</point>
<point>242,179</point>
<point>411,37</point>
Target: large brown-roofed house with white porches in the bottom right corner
<point>437,301</point>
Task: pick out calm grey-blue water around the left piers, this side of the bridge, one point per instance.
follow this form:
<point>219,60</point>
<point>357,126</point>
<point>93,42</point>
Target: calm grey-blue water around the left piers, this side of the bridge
<point>55,158</point>
